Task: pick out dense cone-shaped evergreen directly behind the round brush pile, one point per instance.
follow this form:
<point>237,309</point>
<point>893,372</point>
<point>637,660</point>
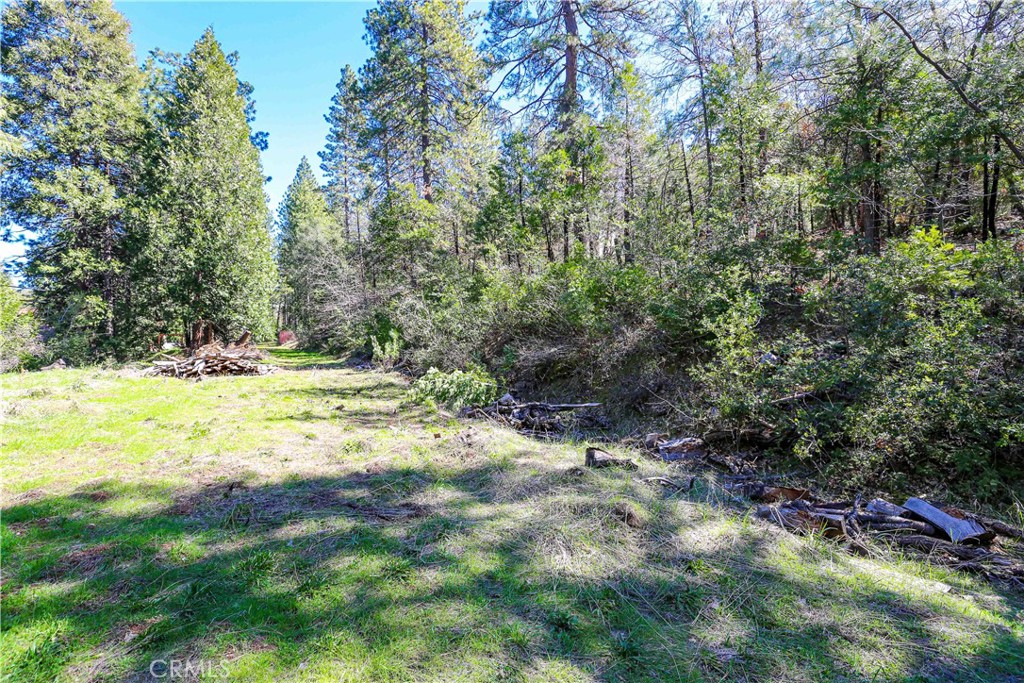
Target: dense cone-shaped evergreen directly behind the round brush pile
<point>212,238</point>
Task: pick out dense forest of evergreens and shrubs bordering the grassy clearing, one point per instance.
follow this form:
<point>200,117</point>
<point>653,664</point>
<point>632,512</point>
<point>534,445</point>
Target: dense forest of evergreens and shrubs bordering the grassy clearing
<point>795,226</point>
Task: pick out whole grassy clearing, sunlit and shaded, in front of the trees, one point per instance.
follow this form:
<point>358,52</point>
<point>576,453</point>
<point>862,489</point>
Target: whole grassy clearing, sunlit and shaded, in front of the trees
<point>311,526</point>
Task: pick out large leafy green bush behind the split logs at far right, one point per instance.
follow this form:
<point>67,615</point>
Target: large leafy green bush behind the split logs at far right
<point>906,366</point>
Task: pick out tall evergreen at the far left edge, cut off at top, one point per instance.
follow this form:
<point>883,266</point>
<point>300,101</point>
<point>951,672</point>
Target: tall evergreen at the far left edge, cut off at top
<point>71,91</point>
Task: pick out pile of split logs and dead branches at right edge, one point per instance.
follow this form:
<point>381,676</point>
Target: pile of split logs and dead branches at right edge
<point>946,535</point>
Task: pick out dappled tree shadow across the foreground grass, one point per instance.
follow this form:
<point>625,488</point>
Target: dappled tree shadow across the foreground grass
<point>420,573</point>
